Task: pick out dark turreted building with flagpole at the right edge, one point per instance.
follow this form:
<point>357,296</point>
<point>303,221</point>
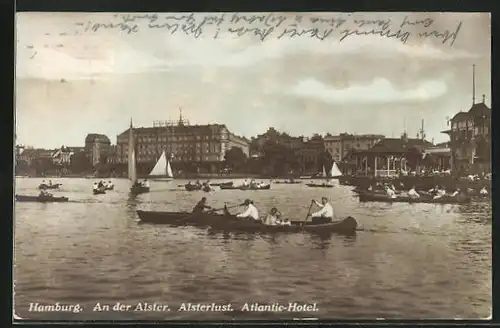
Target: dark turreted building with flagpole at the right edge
<point>470,139</point>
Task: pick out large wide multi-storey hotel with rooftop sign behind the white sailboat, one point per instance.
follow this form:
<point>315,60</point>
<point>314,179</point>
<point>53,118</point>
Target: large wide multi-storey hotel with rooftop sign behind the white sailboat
<point>203,146</point>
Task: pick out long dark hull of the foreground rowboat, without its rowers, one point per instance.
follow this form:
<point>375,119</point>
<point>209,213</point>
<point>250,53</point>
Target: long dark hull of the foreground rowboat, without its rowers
<point>224,222</point>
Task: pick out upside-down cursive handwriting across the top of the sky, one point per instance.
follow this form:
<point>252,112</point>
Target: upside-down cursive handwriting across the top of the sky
<point>270,26</point>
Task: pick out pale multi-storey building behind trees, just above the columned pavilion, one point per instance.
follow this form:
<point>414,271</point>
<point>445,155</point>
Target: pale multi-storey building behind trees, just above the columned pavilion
<point>341,145</point>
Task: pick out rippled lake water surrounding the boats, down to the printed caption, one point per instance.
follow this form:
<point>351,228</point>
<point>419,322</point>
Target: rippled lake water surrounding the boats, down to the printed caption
<point>419,261</point>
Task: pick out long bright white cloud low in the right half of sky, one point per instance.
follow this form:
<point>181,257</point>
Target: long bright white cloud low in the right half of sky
<point>379,91</point>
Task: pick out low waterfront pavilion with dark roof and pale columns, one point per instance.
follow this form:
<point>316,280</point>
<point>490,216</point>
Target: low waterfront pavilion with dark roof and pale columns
<point>391,155</point>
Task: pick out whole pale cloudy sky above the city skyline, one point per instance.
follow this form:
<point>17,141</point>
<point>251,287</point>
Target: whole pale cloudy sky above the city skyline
<point>71,80</point>
